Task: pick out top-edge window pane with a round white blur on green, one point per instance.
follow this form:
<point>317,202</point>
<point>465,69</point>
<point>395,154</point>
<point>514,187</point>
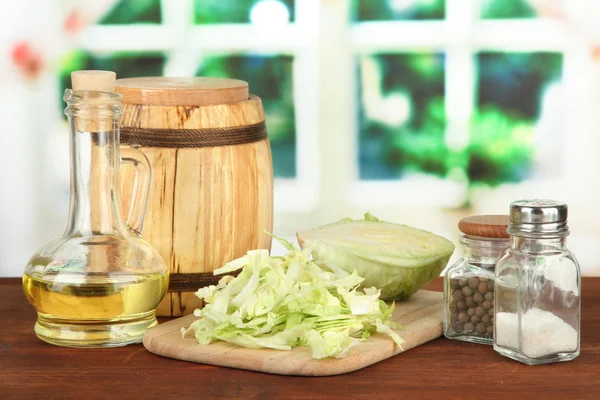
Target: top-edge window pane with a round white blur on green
<point>244,11</point>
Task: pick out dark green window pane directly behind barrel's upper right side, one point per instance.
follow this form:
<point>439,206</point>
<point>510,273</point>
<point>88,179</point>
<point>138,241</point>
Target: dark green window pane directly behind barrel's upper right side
<point>270,78</point>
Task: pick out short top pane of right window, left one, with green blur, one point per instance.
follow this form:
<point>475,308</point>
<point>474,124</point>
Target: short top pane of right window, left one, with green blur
<point>381,10</point>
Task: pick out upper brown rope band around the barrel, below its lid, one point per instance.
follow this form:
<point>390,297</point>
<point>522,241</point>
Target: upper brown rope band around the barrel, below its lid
<point>190,138</point>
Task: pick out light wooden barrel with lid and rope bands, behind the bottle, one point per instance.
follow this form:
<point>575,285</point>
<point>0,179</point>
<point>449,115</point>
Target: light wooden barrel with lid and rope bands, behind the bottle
<point>211,193</point>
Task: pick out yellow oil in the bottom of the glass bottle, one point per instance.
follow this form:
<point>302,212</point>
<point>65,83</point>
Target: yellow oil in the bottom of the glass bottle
<point>120,308</point>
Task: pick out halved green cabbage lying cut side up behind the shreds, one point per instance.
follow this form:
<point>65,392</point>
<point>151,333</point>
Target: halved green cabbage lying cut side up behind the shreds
<point>398,259</point>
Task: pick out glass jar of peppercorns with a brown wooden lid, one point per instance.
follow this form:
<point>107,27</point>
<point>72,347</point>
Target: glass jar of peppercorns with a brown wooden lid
<point>469,283</point>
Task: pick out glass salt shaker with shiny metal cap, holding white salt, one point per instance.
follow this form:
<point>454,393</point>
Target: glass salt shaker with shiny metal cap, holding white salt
<point>538,286</point>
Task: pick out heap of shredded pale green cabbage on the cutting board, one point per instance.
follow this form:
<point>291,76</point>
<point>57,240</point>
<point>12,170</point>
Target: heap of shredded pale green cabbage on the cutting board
<point>288,301</point>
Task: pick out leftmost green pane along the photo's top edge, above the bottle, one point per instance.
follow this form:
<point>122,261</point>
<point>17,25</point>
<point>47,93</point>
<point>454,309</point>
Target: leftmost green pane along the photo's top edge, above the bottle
<point>133,12</point>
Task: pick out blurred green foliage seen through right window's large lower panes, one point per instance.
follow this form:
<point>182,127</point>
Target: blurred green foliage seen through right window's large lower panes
<point>501,127</point>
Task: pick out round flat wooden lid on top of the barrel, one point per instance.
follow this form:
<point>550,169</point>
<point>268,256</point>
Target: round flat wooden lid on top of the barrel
<point>192,91</point>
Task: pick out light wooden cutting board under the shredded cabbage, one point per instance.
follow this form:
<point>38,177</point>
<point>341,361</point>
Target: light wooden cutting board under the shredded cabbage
<point>420,316</point>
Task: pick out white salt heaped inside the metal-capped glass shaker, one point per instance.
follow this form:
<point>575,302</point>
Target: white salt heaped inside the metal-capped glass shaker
<point>543,333</point>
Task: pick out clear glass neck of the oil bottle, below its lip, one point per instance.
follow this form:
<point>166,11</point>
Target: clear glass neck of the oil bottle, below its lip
<point>95,199</point>
